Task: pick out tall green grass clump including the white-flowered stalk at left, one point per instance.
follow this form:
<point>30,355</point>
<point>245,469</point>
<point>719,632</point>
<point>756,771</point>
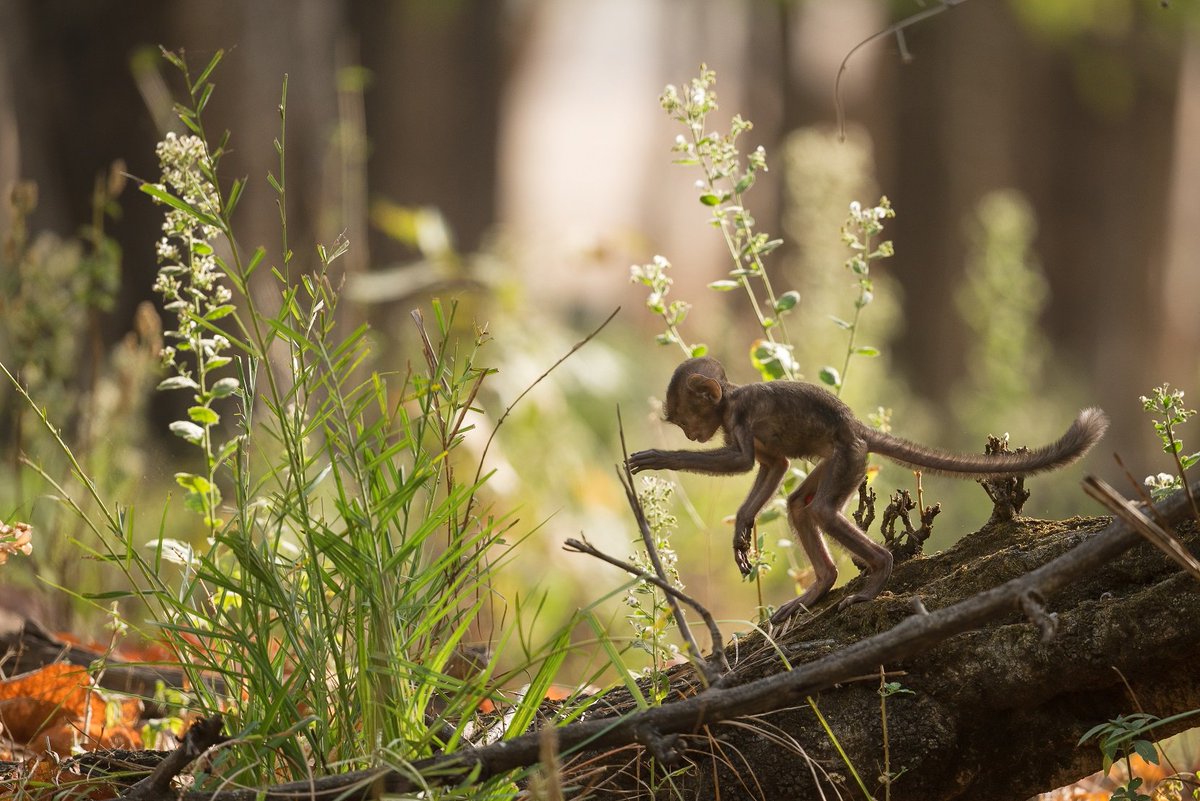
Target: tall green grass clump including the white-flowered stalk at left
<point>331,599</point>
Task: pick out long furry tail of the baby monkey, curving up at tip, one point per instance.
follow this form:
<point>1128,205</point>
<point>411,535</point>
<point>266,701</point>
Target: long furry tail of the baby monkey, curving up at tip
<point>1083,435</point>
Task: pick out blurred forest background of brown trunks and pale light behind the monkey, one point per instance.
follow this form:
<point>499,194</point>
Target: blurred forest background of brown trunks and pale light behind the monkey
<point>1041,156</point>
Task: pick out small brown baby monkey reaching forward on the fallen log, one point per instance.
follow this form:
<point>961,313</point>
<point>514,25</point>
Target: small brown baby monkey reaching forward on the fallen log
<point>776,421</point>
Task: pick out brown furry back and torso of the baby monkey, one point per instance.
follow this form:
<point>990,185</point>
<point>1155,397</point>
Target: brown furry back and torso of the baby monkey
<point>795,419</point>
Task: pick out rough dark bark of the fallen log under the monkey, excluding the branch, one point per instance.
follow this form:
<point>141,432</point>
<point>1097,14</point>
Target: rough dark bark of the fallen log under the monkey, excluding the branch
<point>993,714</point>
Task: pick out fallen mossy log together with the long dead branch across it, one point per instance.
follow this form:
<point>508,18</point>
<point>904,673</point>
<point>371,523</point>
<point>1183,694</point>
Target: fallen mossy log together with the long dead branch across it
<point>994,713</point>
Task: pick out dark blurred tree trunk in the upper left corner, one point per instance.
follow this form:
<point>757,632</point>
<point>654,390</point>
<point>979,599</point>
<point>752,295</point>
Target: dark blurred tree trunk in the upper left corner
<point>71,110</point>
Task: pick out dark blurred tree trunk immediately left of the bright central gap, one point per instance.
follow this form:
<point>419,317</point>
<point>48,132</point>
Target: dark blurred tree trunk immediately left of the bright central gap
<point>434,109</point>
